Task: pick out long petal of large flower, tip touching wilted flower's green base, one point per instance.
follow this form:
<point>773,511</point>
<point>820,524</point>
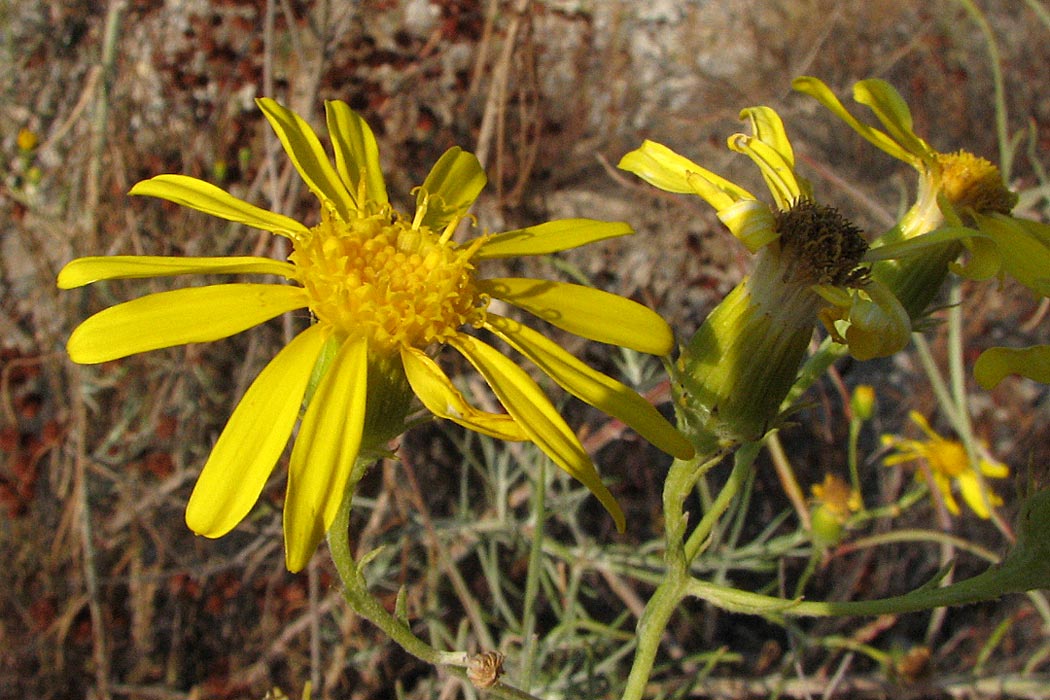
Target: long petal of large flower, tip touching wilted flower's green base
<point>600,391</point>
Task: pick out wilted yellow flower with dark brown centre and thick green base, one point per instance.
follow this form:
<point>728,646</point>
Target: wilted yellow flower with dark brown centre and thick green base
<point>808,268</point>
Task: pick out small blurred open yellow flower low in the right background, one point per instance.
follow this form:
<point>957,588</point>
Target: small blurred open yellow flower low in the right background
<point>949,464</point>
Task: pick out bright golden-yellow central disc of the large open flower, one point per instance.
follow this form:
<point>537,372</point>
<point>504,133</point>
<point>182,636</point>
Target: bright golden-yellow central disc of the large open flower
<point>384,280</point>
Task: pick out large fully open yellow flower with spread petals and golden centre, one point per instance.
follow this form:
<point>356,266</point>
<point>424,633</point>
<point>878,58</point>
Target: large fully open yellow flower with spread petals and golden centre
<point>386,292</point>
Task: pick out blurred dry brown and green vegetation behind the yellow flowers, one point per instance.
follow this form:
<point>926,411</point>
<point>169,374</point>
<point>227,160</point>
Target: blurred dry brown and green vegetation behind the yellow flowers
<point>104,593</point>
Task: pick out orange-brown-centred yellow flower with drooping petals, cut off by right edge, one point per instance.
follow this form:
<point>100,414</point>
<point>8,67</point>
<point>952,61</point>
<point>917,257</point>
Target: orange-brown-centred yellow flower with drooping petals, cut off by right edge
<point>962,203</point>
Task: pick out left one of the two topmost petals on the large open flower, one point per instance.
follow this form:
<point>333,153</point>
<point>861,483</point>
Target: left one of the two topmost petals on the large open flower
<point>308,156</point>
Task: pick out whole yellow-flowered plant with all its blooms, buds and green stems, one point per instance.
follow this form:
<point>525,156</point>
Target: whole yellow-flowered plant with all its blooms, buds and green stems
<point>387,292</point>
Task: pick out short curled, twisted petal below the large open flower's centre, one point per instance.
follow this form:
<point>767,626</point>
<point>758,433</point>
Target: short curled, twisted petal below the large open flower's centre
<point>437,393</point>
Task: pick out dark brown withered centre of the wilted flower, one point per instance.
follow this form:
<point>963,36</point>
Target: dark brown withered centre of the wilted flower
<point>821,246</point>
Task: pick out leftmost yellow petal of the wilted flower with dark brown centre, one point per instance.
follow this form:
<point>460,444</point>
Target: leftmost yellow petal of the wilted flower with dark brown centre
<point>662,167</point>
